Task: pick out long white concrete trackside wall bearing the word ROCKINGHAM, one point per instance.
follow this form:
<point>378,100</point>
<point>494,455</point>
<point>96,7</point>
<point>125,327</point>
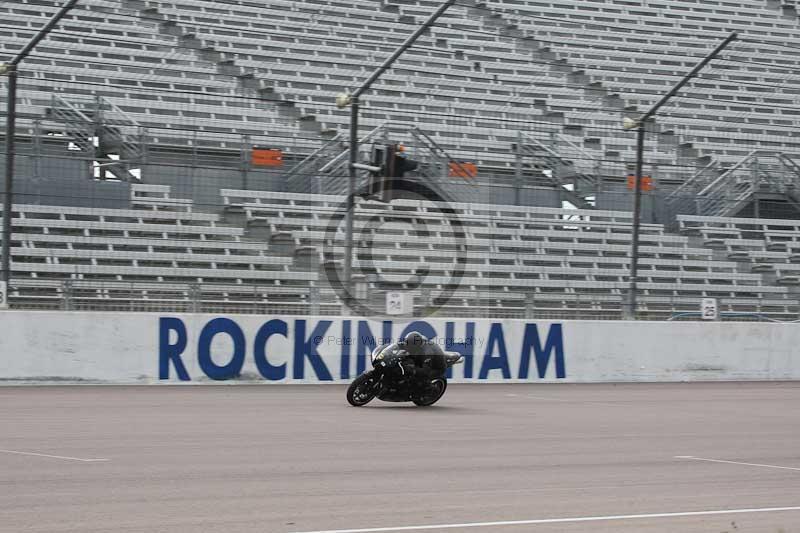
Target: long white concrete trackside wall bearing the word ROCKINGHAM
<point>129,348</point>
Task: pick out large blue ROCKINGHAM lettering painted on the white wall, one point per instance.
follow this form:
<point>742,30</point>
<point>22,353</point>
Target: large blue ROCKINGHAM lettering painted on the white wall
<point>312,347</point>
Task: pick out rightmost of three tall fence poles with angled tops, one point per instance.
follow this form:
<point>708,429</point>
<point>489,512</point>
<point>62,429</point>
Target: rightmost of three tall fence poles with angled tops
<point>640,125</point>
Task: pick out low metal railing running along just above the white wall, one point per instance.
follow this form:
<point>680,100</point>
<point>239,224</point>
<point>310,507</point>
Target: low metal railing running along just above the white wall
<point>85,295</point>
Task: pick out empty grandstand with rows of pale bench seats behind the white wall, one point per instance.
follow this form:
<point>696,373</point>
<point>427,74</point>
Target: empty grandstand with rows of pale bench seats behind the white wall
<point>141,123</point>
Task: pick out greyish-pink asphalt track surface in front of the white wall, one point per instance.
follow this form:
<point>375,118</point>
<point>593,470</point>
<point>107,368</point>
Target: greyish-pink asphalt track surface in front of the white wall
<point>298,459</point>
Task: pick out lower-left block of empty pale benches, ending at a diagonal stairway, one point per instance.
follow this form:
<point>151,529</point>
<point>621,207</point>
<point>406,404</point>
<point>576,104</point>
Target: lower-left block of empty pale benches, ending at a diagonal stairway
<point>141,257</point>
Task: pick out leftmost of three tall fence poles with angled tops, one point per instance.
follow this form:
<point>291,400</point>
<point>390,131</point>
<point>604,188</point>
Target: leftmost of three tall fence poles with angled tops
<point>10,69</point>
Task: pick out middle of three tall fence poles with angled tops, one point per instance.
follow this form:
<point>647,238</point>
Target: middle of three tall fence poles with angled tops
<point>352,99</point>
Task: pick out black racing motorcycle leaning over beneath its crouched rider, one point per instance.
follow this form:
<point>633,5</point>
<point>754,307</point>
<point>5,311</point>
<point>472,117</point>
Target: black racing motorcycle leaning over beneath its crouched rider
<point>386,381</point>
